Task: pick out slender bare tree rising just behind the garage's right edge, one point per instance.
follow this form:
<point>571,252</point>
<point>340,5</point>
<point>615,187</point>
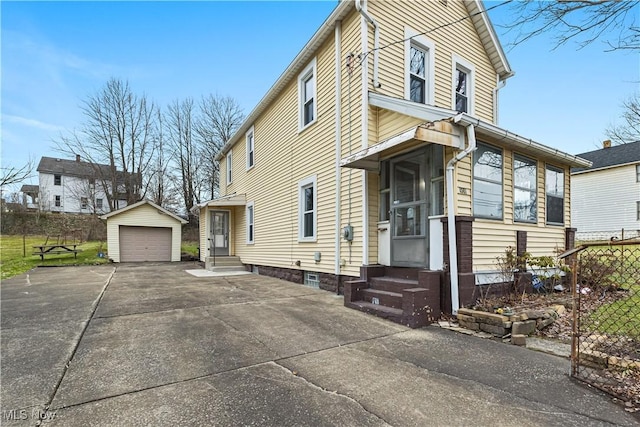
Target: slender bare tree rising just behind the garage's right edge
<point>185,150</point>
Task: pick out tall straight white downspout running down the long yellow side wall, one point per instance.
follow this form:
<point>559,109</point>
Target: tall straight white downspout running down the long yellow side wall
<point>338,147</point>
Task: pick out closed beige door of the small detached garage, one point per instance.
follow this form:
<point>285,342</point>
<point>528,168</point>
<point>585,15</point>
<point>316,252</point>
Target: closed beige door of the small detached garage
<point>145,244</point>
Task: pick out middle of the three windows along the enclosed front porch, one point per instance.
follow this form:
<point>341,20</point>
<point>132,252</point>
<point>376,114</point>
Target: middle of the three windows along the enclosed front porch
<point>525,195</point>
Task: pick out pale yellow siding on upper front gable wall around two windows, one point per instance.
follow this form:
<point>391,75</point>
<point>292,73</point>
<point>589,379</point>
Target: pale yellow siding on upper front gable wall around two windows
<point>460,39</point>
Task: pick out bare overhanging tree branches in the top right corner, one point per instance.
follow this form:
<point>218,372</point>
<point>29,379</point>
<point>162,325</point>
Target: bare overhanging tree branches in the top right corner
<point>584,21</point>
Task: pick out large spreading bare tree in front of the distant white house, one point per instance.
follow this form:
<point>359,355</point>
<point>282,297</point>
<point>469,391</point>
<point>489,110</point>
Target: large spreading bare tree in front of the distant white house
<point>116,139</point>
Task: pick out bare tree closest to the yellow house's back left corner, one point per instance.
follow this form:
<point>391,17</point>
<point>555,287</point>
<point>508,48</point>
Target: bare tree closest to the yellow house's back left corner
<point>220,117</point>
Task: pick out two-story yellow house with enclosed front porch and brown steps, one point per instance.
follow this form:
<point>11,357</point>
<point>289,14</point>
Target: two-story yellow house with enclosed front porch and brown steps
<point>377,153</point>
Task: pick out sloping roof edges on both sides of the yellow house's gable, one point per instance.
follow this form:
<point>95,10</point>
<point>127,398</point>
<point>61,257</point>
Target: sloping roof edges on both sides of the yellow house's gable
<point>480,20</point>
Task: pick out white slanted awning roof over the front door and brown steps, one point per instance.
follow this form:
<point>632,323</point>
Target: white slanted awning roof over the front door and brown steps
<point>440,132</point>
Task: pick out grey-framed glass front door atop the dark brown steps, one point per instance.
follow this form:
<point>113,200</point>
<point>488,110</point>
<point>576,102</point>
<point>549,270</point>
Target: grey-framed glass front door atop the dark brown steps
<point>409,210</point>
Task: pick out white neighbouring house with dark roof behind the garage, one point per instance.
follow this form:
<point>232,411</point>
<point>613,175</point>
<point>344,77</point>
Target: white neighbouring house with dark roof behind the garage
<point>73,186</point>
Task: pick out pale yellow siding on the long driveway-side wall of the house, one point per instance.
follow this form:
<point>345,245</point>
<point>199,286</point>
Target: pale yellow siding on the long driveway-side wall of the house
<point>284,157</point>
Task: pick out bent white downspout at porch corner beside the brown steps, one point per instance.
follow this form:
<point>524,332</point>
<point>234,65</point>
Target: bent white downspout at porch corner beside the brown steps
<point>451,221</point>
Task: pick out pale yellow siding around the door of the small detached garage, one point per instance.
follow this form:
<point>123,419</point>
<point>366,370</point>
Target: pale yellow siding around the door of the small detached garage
<point>143,215</point>
